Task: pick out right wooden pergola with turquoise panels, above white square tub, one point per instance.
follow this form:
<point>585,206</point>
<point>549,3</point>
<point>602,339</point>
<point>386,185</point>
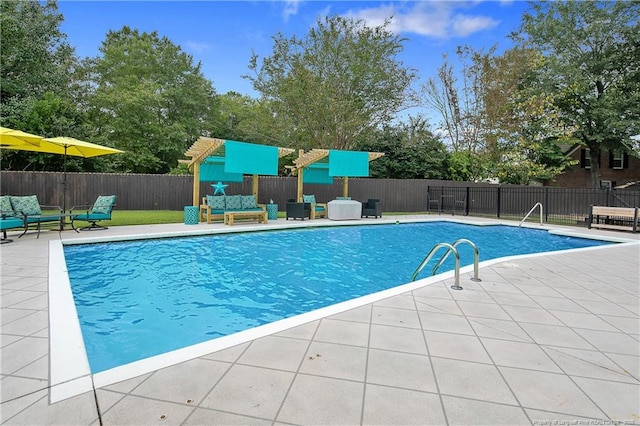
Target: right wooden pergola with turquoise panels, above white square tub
<point>322,165</point>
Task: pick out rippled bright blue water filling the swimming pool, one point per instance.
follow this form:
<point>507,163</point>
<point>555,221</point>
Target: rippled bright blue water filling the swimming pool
<point>137,299</point>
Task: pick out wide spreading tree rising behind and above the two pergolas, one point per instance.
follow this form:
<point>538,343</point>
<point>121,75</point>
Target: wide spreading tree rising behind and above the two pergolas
<point>336,85</point>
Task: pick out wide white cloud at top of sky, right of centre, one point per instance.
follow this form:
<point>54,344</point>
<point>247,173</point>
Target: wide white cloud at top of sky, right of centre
<point>433,19</point>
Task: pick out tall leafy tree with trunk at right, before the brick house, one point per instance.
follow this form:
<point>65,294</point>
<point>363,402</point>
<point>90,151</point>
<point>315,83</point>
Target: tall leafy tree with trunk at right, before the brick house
<point>591,70</point>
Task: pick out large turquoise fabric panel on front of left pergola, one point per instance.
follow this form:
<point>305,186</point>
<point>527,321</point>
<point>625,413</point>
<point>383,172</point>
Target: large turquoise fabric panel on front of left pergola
<point>250,159</point>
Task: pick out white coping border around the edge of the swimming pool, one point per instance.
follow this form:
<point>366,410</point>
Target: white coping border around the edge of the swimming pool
<point>70,373</point>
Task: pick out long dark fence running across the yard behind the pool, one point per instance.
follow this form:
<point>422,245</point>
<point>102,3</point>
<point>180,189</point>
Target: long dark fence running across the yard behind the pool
<point>164,192</point>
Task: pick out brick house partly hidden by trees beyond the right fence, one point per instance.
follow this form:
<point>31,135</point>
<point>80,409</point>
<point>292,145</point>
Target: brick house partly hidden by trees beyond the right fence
<point>617,168</point>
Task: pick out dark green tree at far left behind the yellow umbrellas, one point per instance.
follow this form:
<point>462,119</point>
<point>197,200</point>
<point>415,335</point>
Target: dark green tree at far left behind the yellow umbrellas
<point>36,80</point>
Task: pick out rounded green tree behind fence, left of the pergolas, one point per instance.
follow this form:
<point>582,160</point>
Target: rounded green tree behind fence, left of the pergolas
<point>147,98</point>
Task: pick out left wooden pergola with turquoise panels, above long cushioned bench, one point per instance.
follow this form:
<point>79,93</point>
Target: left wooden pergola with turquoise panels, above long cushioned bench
<point>220,159</point>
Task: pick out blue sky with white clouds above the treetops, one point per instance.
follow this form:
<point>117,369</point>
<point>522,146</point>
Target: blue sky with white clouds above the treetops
<point>222,34</point>
